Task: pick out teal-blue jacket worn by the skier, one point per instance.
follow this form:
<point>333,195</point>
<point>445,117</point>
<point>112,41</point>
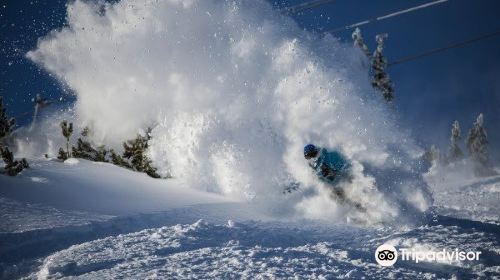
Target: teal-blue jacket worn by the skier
<point>330,166</point>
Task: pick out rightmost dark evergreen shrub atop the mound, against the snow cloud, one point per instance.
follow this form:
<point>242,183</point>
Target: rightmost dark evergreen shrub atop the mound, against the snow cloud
<point>135,151</point>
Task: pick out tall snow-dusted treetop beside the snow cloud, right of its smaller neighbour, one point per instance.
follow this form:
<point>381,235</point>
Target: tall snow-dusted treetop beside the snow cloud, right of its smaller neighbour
<point>381,80</point>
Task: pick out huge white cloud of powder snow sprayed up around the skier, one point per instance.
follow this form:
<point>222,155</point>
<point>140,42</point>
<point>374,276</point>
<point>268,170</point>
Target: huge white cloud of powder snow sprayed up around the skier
<point>233,91</point>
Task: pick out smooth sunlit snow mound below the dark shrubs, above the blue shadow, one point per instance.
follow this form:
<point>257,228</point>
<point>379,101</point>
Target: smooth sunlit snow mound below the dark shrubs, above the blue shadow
<point>97,188</point>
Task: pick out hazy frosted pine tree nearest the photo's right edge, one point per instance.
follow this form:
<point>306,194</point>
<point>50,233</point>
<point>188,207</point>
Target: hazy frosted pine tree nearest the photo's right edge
<point>477,142</point>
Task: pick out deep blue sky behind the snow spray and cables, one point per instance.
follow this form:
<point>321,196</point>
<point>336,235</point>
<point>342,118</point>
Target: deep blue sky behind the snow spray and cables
<point>430,92</point>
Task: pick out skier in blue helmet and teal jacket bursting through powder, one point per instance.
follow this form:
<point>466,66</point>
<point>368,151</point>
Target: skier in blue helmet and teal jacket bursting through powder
<point>331,167</point>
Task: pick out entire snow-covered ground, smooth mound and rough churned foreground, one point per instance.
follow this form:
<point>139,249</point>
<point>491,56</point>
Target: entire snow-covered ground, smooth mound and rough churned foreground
<point>99,229</point>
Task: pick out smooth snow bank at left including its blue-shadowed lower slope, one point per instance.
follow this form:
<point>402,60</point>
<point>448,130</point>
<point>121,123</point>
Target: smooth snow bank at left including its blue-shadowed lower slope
<point>53,204</point>
